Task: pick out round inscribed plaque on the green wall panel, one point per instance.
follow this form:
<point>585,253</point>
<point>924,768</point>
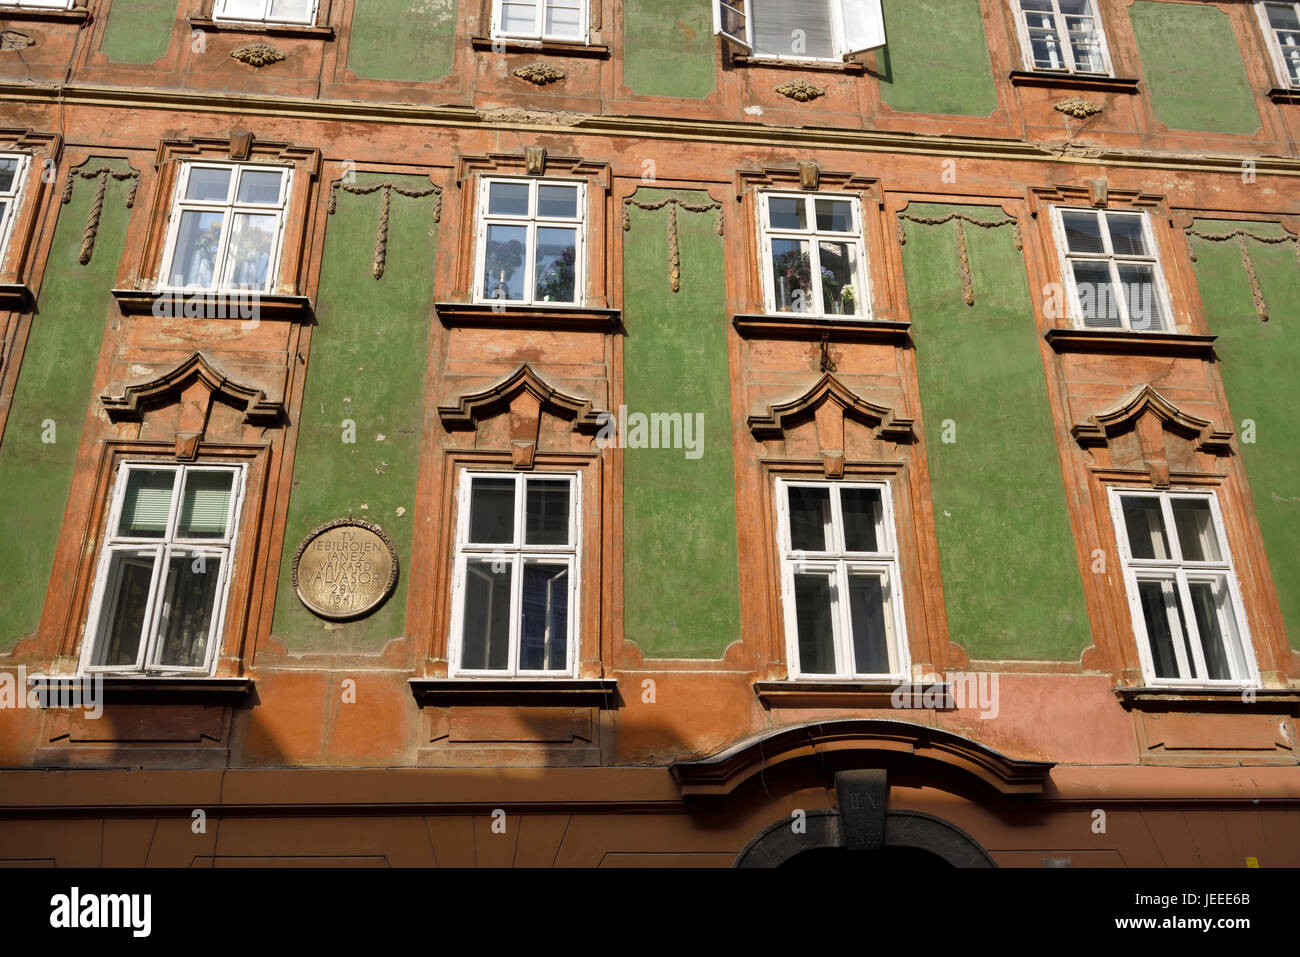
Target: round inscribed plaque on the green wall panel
<point>345,569</point>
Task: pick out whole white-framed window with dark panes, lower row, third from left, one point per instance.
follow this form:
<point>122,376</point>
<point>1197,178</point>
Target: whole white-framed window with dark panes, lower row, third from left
<point>840,582</point>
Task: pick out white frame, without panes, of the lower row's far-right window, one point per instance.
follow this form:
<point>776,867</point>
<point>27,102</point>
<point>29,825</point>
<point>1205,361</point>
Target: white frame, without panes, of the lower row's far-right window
<point>1177,571</point>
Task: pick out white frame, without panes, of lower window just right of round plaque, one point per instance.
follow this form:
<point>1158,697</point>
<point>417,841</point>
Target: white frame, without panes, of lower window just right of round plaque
<point>517,555</point>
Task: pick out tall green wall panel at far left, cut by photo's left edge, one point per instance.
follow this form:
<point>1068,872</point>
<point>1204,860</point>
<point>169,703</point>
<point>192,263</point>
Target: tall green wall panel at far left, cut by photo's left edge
<point>55,384</point>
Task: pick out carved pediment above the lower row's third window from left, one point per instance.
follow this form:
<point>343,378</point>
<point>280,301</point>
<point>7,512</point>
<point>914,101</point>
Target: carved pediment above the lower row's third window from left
<point>827,405</point>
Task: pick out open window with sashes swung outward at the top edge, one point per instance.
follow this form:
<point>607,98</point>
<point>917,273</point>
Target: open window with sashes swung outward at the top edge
<point>803,29</point>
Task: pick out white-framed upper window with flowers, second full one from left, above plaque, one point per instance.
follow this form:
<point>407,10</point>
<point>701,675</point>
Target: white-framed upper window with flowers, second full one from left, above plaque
<point>531,241</point>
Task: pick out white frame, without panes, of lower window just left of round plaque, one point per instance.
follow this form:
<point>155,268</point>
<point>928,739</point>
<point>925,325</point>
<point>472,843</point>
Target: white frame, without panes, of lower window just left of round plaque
<point>150,647</point>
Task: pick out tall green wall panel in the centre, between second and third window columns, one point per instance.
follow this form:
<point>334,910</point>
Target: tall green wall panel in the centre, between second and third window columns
<point>682,584</point>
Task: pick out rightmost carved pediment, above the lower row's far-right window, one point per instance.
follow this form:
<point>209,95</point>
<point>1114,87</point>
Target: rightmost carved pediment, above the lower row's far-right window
<point>1149,432</point>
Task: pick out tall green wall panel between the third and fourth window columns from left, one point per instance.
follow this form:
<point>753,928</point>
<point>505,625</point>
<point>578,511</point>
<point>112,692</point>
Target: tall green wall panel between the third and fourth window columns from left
<point>1011,574</point>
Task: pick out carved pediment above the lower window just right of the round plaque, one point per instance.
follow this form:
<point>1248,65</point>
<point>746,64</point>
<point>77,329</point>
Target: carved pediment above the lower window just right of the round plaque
<point>523,396</point>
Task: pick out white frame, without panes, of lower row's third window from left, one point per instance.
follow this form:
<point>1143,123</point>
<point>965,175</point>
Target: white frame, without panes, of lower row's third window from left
<point>840,562</point>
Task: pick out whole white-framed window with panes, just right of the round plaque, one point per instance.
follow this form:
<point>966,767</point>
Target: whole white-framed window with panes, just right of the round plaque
<point>515,591</point>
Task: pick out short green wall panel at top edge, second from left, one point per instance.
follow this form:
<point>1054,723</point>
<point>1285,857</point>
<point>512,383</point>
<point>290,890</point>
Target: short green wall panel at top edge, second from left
<point>410,41</point>
